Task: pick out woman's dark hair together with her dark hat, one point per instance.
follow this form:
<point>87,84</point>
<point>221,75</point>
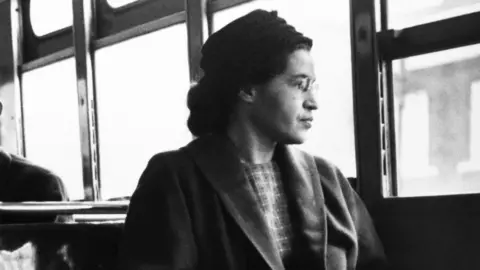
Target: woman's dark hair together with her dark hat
<point>250,50</point>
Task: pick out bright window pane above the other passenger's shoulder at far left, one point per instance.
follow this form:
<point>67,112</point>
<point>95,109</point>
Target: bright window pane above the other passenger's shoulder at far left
<point>52,132</point>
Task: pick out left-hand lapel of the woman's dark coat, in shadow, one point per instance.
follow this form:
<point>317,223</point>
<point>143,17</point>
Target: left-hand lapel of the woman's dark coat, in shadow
<point>217,158</point>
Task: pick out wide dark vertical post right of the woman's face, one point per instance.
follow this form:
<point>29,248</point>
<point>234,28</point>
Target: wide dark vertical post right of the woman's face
<point>366,100</point>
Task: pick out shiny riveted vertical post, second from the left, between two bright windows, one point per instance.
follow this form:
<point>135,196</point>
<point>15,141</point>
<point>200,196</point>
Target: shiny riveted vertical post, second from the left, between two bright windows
<point>83,34</point>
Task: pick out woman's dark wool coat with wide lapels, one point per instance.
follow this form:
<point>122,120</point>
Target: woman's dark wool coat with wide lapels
<point>193,209</point>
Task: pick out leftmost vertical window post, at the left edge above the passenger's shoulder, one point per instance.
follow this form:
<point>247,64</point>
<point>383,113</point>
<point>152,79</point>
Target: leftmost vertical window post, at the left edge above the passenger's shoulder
<point>11,121</point>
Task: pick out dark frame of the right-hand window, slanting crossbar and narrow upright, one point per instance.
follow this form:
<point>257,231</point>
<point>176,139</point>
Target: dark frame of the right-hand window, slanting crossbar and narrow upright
<point>421,39</point>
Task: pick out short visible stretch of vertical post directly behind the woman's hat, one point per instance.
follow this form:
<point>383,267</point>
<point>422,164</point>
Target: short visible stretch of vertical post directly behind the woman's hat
<point>197,32</point>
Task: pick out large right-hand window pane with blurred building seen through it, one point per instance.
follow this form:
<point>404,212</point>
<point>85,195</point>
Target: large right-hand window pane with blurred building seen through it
<point>437,122</point>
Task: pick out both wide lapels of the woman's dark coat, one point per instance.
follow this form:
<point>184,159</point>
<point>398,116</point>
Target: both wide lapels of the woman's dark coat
<point>218,160</point>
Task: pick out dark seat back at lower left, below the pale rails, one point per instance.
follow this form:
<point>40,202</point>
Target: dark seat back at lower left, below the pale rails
<point>64,246</point>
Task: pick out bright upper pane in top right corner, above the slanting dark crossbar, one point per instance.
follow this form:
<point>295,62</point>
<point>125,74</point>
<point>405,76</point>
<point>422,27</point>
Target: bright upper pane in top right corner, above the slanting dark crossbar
<point>403,13</point>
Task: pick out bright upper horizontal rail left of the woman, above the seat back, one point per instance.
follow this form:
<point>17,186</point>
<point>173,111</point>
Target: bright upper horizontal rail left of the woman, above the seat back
<point>116,207</point>
